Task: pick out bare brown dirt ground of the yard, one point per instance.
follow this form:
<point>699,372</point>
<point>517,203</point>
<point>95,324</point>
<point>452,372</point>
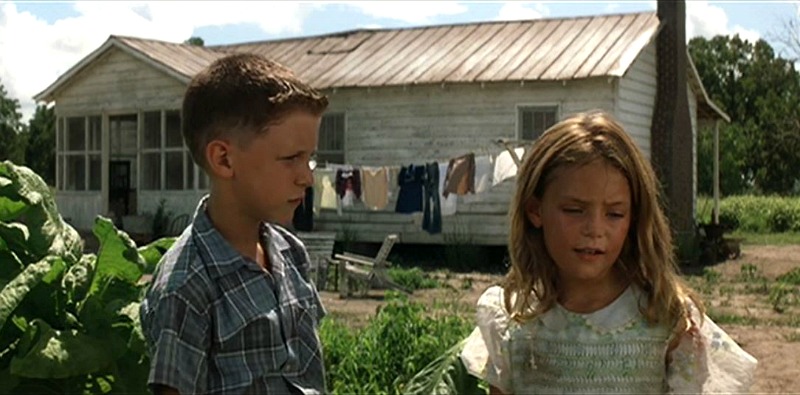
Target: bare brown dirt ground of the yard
<point>740,296</point>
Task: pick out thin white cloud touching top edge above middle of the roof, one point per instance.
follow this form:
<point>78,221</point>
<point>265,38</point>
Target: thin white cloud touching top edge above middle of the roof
<point>416,12</point>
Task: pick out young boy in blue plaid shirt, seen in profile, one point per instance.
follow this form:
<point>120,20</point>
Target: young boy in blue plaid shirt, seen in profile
<point>230,309</point>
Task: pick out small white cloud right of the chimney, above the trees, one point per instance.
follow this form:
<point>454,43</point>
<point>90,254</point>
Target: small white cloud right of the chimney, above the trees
<point>706,20</point>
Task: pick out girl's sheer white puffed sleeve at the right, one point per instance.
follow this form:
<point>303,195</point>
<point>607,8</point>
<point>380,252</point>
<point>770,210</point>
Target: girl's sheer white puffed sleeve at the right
<point>707,360</point>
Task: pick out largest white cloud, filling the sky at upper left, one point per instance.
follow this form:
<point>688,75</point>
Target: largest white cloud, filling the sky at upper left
<point>35,53</point>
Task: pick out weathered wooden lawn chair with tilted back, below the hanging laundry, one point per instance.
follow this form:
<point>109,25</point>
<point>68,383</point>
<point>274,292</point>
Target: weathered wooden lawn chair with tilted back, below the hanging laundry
<point>369,272</point>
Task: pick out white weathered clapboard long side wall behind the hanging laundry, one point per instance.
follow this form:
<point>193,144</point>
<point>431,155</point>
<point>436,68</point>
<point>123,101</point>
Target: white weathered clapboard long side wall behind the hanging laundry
<point>398,126</point>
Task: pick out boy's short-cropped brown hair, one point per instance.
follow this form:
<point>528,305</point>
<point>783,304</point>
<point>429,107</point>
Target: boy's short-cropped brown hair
<point>240,96</point>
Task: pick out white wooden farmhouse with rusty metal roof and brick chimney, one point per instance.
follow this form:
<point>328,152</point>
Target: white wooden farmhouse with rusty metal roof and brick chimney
<point>398,96</point>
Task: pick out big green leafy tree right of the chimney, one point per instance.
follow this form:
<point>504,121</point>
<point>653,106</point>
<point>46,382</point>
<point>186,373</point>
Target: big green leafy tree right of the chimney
<point>760,148</point>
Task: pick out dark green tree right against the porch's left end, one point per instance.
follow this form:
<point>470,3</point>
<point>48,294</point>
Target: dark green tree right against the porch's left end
<point>40,152</point>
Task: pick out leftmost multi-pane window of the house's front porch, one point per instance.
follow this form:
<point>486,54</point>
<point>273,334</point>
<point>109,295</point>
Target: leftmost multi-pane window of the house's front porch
<point>78,153</point>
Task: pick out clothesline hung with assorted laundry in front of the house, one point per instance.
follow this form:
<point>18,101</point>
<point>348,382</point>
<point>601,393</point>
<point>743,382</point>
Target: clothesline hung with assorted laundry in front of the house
<point>430,188</point>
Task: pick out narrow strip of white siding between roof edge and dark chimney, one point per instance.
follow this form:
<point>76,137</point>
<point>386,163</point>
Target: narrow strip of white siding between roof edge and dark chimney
<point>636,98</point>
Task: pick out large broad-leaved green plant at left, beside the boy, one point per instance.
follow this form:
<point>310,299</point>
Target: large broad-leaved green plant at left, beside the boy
<point>68,322</point>
